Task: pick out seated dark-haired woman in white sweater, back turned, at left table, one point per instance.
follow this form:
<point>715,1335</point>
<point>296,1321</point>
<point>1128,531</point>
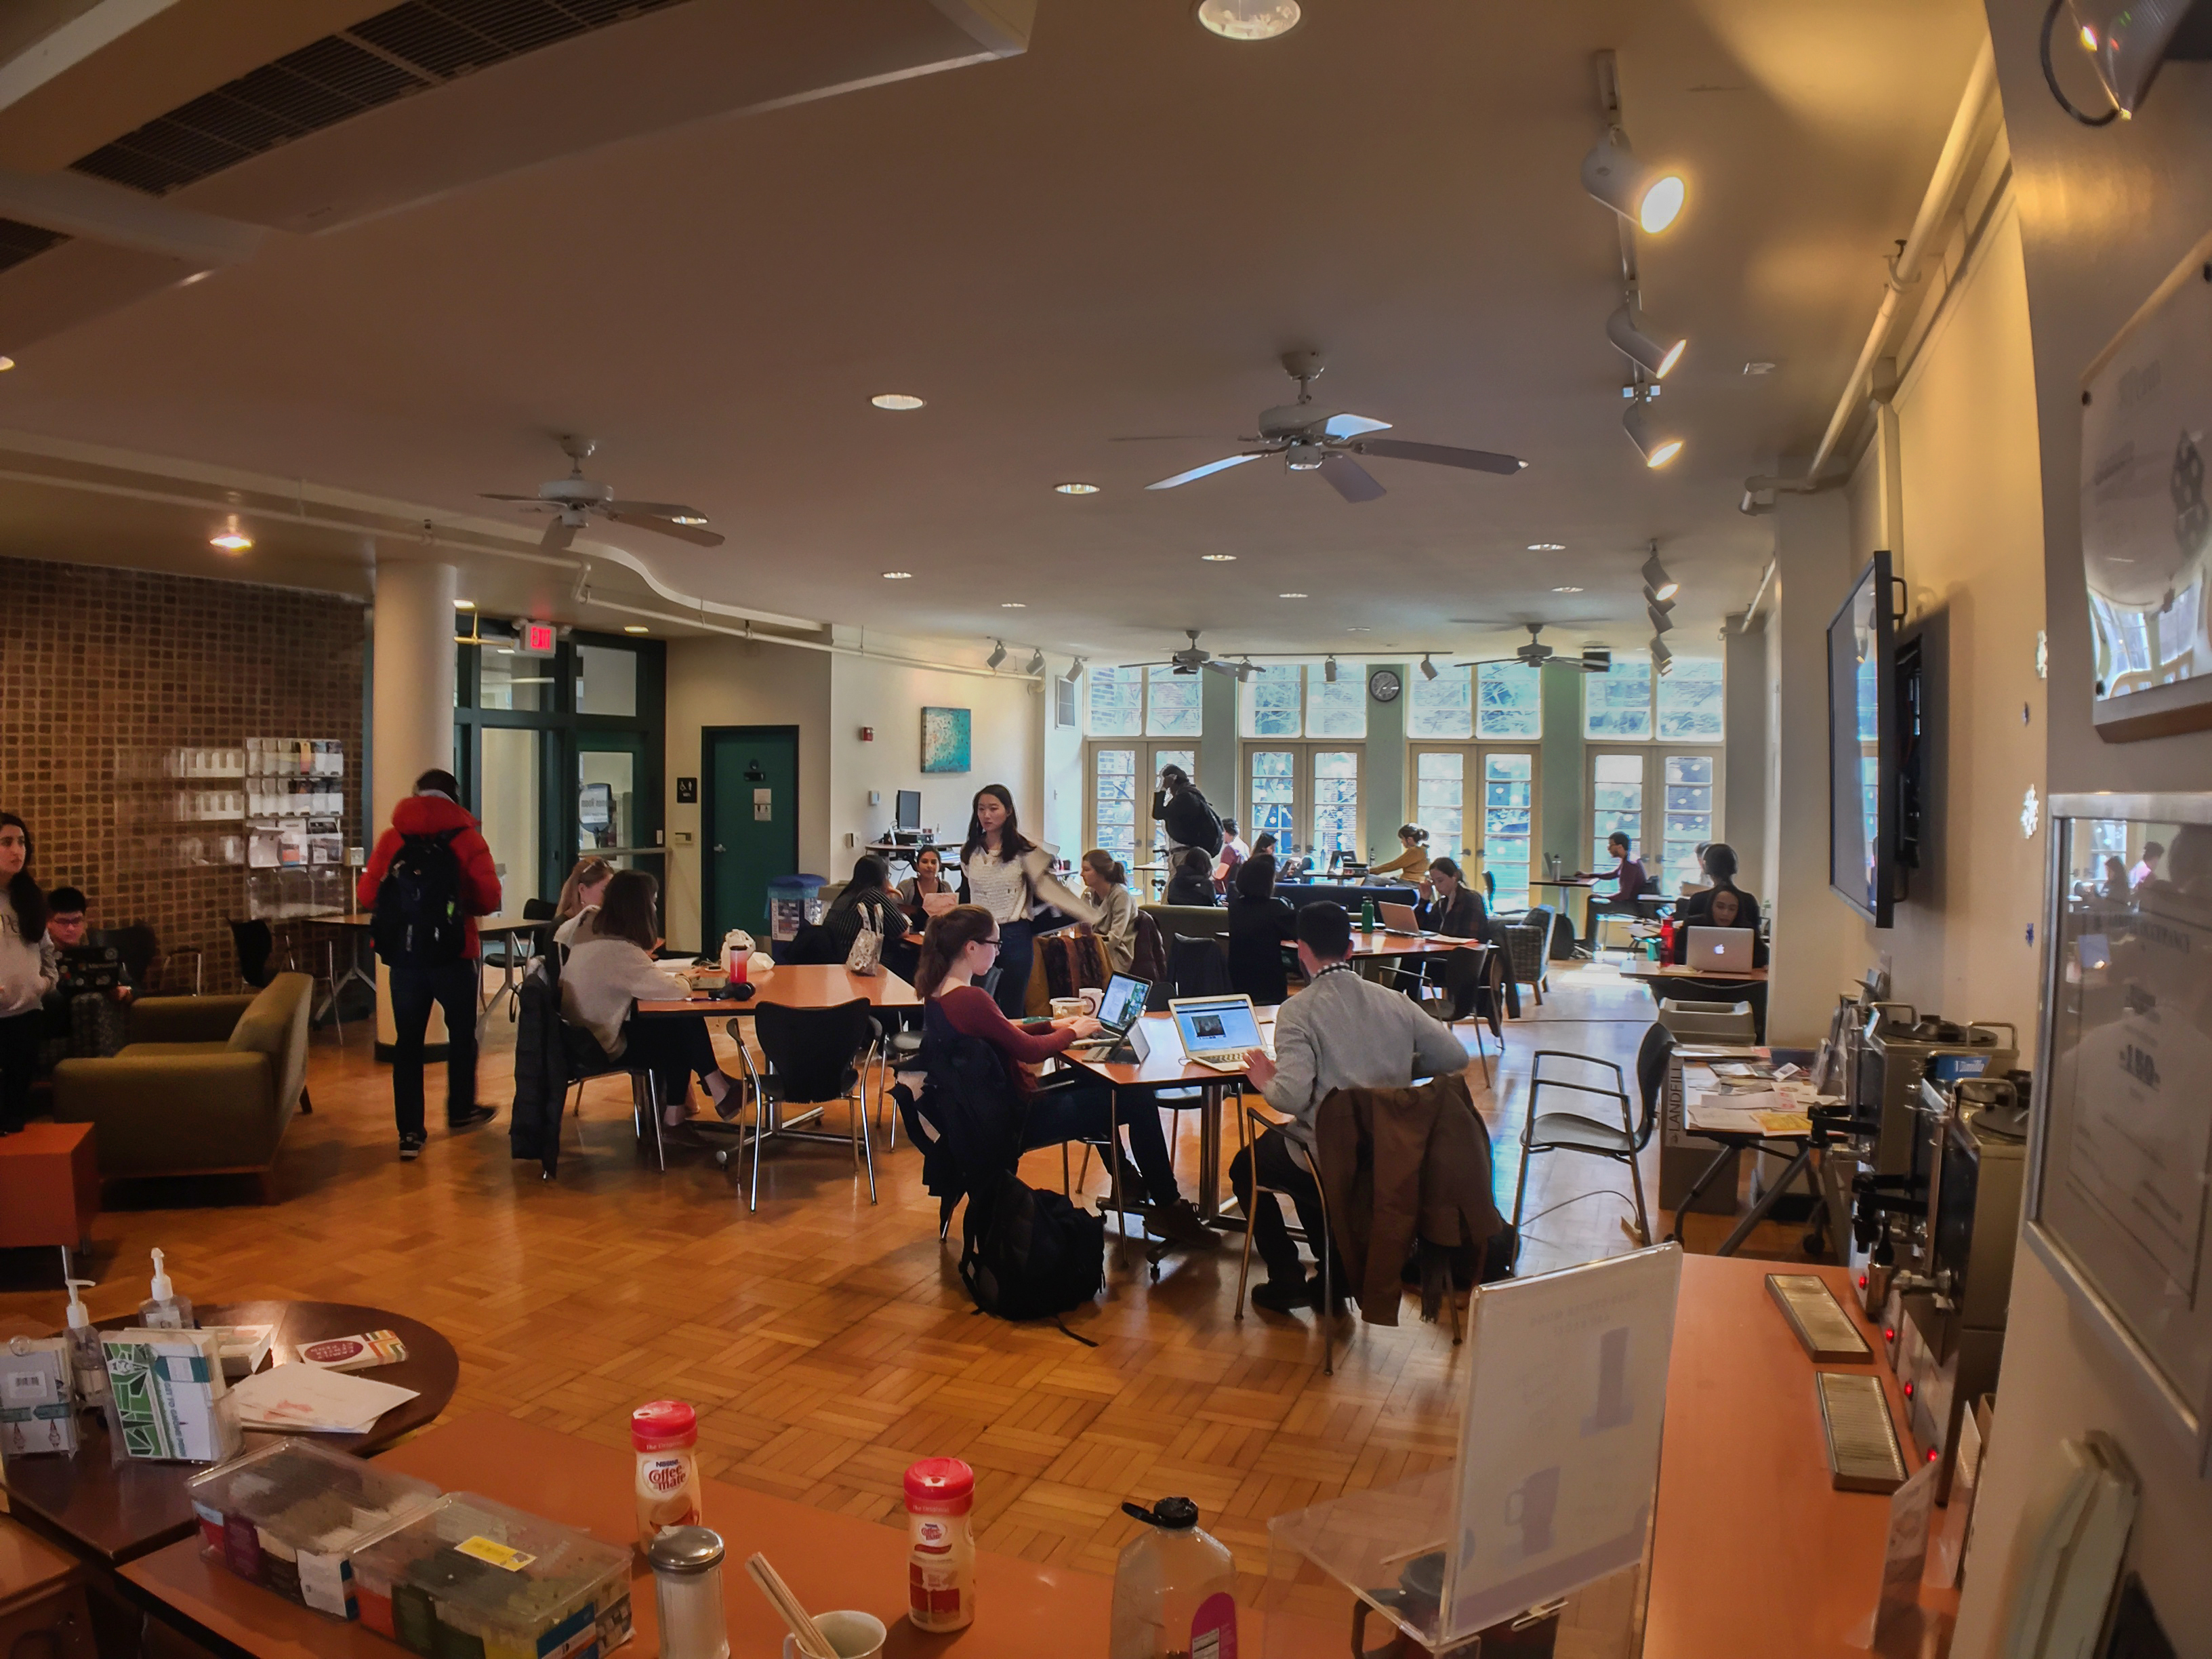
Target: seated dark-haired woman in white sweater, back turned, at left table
<point>609,972</point>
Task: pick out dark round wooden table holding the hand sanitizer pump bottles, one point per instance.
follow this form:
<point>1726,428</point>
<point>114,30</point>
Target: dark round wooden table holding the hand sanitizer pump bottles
<point>118,1512</point>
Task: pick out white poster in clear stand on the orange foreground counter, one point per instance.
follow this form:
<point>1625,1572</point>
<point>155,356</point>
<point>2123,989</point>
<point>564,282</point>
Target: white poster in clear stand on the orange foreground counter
<point>1561,1441</point>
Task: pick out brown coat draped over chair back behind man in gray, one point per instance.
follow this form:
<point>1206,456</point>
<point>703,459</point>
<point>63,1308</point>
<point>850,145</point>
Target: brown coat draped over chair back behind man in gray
<point>1404,1167</point>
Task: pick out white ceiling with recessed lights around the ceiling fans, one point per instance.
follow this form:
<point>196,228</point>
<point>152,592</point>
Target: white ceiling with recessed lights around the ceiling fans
<point>1107,238</point>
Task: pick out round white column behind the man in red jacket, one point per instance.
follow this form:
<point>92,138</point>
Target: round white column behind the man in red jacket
<point>413,705</point>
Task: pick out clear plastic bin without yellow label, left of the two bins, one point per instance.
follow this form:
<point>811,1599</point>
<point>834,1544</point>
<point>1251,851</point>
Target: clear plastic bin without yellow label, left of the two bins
<point>291,1516</point>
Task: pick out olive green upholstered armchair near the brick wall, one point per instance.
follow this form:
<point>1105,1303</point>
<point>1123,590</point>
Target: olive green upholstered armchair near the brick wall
<point>205,1087</point>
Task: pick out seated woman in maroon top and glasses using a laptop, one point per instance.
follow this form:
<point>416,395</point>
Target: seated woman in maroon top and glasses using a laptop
<point>959,950</point>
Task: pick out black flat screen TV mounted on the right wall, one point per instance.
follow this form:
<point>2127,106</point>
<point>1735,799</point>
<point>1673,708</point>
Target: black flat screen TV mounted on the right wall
<point>1864,747</point>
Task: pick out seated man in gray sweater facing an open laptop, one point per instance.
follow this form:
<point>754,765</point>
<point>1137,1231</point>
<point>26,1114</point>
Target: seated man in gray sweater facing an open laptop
<point>1342,1032</point>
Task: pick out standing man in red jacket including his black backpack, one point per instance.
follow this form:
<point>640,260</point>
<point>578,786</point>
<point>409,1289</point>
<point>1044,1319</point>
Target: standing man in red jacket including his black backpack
<point>426,884</point>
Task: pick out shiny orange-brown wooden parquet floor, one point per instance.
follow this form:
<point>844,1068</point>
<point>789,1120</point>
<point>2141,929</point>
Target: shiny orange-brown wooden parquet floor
<point>826,1342</point>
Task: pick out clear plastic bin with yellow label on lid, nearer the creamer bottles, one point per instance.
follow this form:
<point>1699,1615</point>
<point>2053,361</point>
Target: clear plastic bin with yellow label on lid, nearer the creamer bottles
<point>479,1580</point>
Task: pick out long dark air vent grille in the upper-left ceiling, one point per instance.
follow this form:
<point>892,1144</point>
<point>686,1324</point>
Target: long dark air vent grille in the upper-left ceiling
<point>406,50</point>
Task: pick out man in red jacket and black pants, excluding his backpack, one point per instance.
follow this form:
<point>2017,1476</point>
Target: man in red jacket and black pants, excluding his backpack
<point>428,820</point>
